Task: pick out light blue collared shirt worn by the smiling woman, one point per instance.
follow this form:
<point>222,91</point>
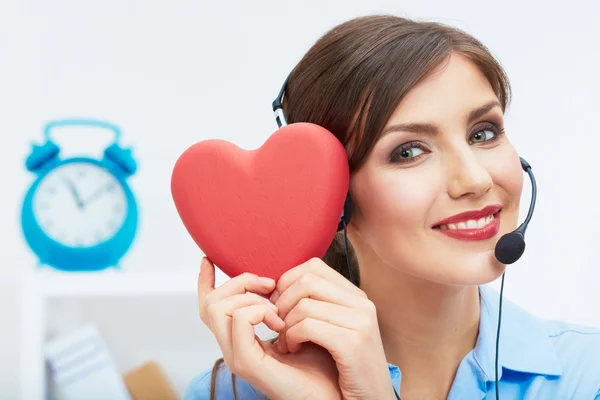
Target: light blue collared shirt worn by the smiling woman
<point>538,360</point>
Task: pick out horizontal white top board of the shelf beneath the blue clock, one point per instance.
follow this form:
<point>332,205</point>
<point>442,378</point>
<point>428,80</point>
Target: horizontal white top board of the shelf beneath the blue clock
<point>113,283</point>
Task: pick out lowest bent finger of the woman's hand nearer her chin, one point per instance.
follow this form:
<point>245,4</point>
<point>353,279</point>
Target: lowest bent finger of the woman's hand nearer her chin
<point>318,332</point>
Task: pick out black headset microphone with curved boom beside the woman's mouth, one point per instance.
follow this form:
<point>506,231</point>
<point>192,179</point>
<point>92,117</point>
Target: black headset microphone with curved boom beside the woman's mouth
<point>511,246</point>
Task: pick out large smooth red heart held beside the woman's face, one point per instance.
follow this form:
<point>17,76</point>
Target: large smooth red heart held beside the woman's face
<point>266,210</point>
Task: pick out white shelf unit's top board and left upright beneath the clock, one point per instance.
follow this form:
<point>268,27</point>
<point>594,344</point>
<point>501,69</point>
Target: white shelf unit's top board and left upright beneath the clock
<point>46,284</point>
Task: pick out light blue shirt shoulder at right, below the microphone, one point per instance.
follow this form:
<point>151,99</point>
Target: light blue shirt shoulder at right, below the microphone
<point>560,357</point>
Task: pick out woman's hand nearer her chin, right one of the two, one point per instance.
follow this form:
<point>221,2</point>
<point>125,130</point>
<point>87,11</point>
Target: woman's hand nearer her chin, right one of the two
<point>319,305</point>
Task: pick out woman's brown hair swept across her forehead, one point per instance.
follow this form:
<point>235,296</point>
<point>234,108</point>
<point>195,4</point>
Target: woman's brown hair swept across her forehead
<point>353,78</point>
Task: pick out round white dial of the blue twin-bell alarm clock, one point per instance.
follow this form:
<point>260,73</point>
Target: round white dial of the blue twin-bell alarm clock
<point>80,204</point>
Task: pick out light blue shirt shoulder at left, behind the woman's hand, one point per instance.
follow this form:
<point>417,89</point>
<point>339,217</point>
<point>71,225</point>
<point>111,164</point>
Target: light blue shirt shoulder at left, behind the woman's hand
<point>199,387</point>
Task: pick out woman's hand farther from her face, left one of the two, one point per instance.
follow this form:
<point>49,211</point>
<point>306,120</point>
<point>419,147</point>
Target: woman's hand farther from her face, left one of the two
<point>232,310</point>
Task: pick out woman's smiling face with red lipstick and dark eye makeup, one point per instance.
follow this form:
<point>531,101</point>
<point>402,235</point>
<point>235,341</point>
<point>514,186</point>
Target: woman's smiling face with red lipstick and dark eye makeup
<point>444,154</point>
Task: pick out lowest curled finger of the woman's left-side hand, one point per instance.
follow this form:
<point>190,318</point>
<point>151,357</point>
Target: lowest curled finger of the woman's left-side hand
<point>246,350</point>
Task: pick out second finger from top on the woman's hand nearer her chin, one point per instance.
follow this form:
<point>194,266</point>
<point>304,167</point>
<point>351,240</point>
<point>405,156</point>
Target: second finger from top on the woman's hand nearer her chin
<point>313,286</point>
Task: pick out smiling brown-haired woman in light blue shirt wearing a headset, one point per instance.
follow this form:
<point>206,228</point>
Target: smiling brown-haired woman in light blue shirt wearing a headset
<point>435,184</point>
